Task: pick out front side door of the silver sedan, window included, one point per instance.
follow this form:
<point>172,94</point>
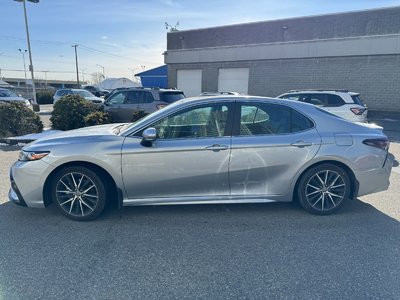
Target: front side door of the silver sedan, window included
<point>188,160</point>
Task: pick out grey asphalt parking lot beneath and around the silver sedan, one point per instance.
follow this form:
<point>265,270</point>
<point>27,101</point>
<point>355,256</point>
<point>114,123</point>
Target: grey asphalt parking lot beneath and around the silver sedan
<point>203,251</point>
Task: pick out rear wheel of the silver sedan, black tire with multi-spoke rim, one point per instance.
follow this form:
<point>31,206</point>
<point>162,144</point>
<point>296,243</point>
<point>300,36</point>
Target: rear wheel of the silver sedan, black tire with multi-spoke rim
<point>324,189</point>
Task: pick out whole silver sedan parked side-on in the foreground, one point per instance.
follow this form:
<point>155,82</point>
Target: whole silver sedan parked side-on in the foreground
<point>223,149</point>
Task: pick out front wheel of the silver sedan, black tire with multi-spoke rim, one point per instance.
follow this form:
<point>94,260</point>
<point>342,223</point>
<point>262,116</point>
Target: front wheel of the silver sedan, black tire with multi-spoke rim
<point>79,193</point>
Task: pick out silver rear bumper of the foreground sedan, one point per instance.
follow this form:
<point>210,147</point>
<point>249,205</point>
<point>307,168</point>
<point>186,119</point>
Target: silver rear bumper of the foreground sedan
<point>376,180</point>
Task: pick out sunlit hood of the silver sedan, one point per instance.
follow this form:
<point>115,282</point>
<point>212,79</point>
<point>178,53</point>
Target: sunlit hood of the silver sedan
<point>81,135</point>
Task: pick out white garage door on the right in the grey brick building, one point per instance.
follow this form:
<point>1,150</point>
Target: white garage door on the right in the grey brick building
<point>233,80</point>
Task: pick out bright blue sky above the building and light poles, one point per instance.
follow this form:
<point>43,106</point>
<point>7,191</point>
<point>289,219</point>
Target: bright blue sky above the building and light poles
<point>122,35</point>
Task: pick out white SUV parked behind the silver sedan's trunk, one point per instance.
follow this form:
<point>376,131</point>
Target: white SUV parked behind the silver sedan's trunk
<point>345,104</point>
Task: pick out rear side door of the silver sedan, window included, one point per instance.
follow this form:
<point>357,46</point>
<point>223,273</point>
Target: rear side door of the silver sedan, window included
<point>270,143</point>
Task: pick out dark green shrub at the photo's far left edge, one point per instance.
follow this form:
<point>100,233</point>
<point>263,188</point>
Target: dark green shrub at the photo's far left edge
<point>17,119</point>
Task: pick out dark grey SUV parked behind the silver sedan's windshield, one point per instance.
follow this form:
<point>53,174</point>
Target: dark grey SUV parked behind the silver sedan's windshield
<point>122,103</point>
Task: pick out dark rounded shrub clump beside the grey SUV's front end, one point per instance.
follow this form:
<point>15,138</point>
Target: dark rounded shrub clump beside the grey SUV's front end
<point>73,111</point>
